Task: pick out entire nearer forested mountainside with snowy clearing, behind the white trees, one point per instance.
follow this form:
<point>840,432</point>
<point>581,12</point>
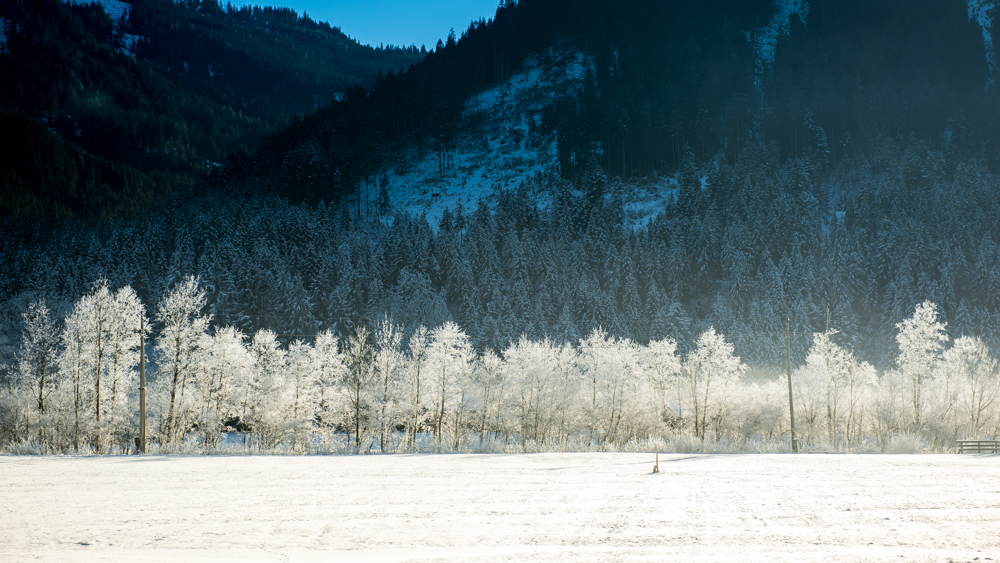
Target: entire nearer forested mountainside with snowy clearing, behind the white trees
<point>652,168</point>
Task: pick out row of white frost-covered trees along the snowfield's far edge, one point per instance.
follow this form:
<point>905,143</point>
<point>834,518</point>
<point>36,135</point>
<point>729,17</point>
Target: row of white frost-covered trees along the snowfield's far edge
<point>377,390</point>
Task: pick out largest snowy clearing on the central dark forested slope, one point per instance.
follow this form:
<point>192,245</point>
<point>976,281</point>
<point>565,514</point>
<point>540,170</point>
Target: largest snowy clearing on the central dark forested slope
<point>498,145</point>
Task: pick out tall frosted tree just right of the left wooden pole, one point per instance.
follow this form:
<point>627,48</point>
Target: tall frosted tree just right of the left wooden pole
<point>183,327</point>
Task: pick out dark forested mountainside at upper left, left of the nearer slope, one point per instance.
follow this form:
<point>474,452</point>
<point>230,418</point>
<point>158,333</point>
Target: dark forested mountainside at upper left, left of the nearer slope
<point>109,107</point>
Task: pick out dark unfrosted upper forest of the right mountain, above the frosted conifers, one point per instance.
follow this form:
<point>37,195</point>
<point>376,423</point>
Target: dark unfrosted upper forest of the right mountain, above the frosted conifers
<point>714,76</point>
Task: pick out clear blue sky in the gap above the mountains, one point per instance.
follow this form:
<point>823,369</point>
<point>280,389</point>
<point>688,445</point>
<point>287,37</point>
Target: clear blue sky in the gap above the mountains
<point>397,22</point>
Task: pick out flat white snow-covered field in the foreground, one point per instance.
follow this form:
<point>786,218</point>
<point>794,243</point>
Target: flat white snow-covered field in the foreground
<point>552,507</point>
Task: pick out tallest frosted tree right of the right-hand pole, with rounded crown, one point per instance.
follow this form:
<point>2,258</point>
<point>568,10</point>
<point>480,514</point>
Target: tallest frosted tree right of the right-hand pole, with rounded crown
<point>921,341</point>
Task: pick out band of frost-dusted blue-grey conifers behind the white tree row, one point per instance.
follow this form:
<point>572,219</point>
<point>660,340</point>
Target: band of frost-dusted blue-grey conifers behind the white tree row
<point>760,244</point>
